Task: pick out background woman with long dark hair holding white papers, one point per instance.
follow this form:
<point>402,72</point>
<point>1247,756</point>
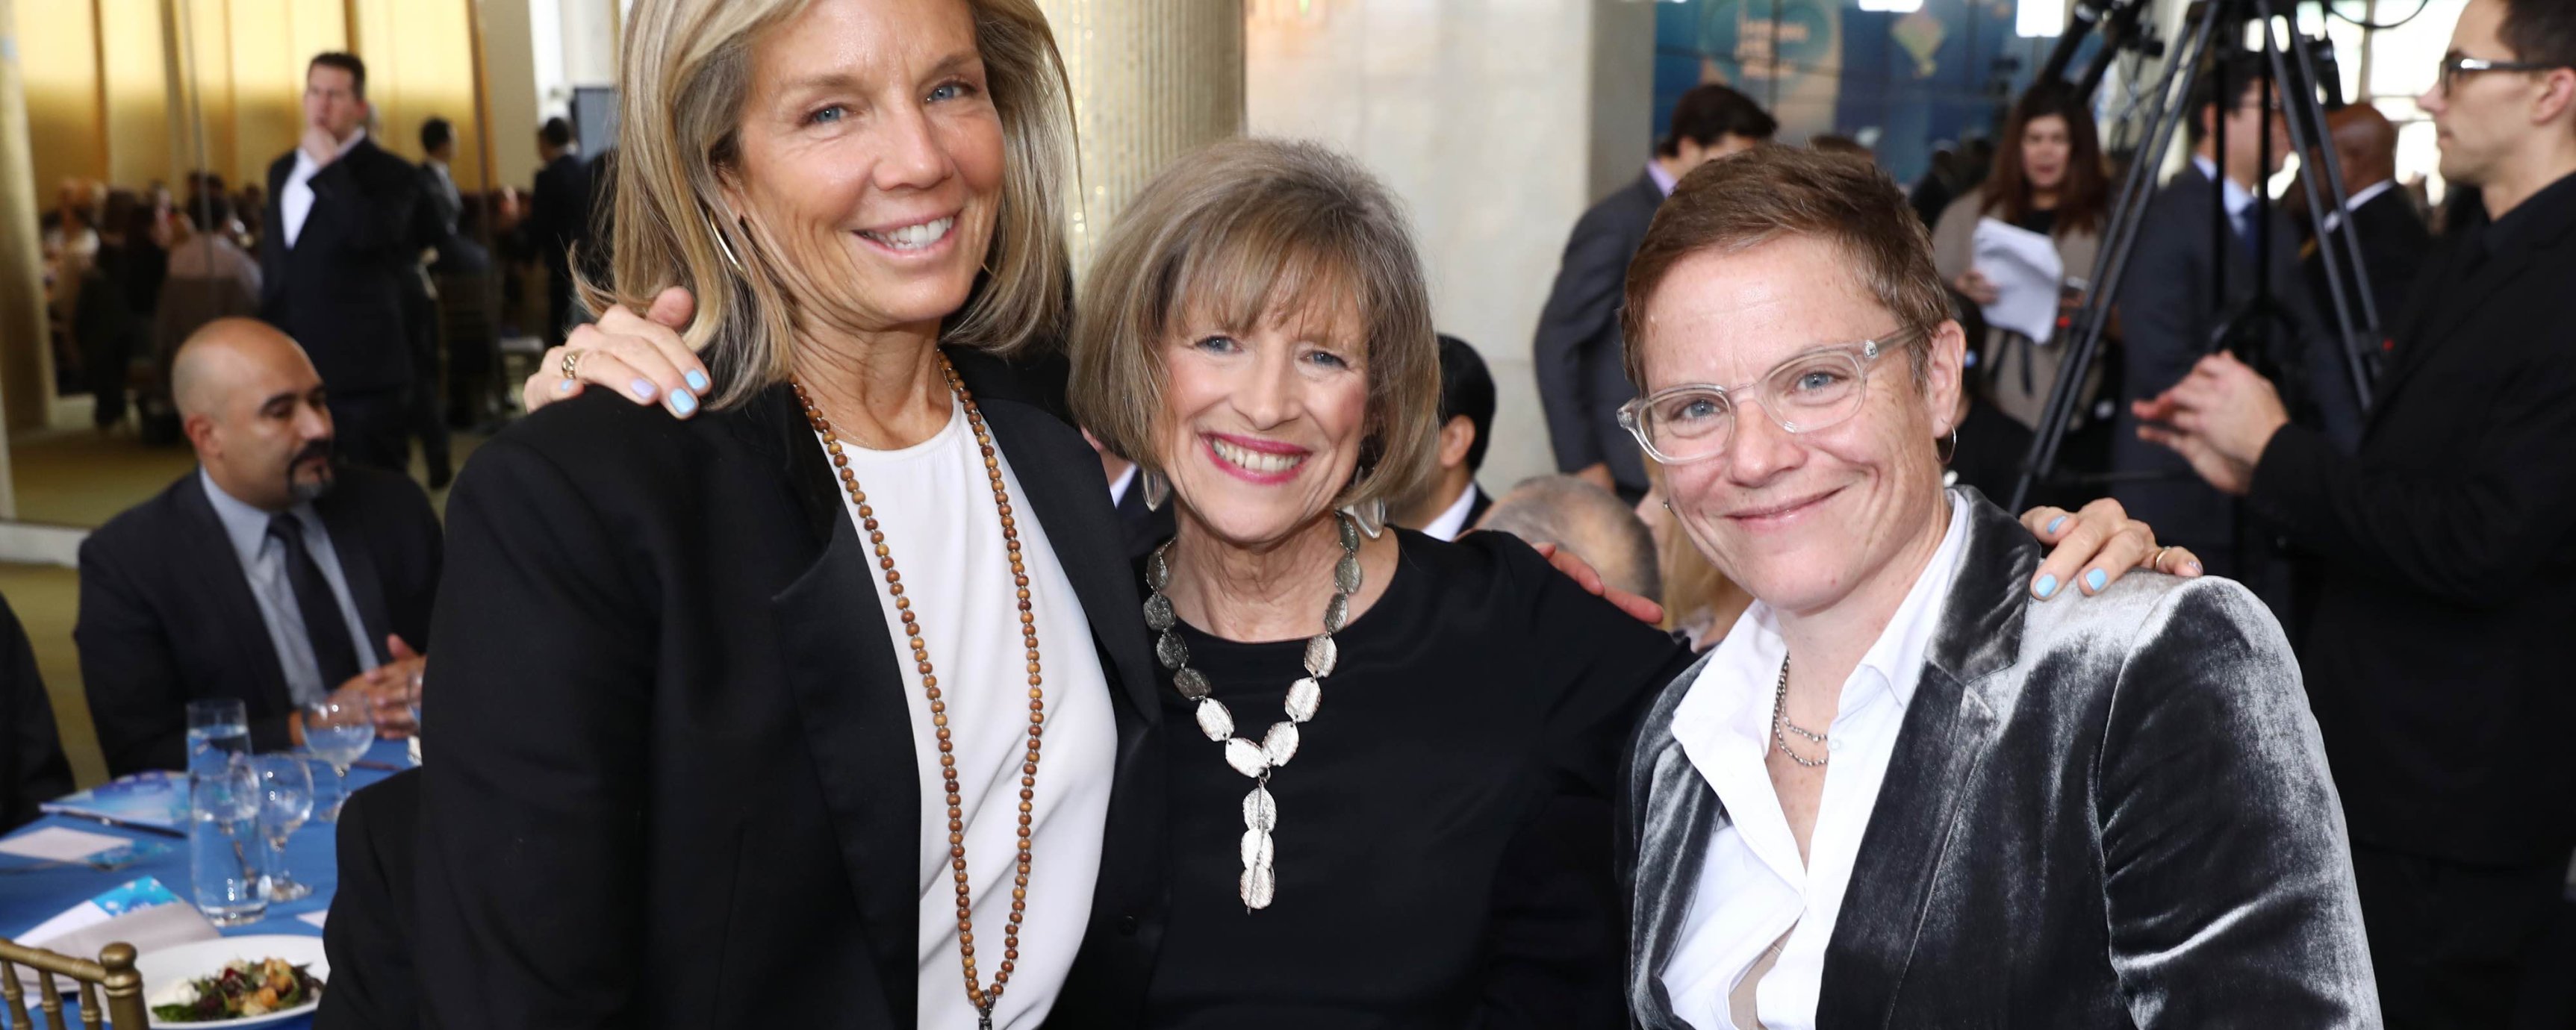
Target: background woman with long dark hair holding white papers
<point>2049,182</point>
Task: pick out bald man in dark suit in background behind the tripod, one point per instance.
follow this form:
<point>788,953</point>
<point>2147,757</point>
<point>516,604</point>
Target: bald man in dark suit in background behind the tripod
<point>2384,218</point>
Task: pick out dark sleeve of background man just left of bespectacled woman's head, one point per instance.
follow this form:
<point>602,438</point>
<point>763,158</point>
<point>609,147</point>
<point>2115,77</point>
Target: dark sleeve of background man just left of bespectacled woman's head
<point>1580,315</point>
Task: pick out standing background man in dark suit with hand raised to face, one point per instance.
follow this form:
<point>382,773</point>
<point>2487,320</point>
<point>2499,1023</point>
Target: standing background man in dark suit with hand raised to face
<point>339,256</point>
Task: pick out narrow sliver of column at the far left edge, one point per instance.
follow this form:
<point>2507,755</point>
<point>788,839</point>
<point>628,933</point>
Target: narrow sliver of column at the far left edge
<point>27,375</point>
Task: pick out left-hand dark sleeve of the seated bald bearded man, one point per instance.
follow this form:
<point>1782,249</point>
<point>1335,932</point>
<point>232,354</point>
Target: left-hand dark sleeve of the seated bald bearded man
<point>128,668</point>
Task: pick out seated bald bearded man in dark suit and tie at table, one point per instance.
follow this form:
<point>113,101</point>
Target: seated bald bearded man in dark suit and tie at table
<point>264,576</point>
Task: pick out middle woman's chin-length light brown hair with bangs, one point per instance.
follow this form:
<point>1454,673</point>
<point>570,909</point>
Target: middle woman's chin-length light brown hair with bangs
<point>1238,236</point>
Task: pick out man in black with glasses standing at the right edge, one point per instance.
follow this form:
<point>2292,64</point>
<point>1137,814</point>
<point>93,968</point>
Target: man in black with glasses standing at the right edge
<point>2446,550</point>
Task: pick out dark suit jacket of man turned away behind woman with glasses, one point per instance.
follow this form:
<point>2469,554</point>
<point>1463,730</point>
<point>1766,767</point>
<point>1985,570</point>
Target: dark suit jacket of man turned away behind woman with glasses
<point>1583,377</point>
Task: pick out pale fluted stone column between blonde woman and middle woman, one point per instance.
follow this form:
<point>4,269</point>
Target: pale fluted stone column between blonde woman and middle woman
<point>1153,81</point>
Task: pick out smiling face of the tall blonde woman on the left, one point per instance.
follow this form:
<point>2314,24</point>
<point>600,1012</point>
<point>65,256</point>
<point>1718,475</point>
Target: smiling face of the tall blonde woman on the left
<point>869,161</point>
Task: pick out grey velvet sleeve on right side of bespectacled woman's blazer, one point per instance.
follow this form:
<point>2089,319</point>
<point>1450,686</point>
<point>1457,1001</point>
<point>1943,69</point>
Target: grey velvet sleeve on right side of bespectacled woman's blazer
<point>2224,856</point>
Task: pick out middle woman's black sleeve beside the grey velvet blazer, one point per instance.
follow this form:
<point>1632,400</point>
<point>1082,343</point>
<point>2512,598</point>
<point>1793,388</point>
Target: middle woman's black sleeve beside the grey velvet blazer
<point>1560,923</point>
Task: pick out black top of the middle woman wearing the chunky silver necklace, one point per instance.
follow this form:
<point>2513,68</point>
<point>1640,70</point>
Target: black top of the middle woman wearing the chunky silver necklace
<point>1444,843</point>
